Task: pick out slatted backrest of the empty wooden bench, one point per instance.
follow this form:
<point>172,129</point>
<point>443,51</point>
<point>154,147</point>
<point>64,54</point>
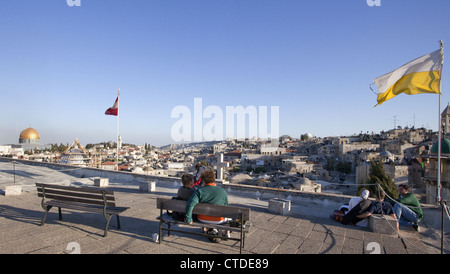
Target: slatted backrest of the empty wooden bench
<point>76,194</point>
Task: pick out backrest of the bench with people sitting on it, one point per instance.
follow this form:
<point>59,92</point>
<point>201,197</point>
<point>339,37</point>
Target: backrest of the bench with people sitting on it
<point>234,212</point>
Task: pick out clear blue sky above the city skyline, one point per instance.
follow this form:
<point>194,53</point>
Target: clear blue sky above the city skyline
<point>61,66</point>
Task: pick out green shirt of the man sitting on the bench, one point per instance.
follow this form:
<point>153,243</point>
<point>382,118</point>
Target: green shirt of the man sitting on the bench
<point>209,194</point>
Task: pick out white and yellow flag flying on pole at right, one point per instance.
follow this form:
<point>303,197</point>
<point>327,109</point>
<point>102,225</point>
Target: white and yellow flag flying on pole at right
<point>421,75</point>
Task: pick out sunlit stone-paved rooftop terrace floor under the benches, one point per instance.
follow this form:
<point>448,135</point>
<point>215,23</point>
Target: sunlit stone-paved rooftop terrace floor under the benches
<point>307,230</point>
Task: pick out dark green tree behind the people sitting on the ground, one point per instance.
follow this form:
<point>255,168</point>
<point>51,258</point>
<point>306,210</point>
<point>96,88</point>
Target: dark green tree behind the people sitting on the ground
<point>377,177</point>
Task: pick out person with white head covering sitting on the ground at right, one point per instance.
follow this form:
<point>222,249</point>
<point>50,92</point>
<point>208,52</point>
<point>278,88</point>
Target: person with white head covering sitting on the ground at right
<point>357,206</point>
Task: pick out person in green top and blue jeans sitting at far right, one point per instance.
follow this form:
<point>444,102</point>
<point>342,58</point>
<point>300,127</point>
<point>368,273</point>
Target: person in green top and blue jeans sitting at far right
<point>408,210</point>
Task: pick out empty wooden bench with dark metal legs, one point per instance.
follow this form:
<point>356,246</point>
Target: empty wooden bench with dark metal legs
<point>85,199</point>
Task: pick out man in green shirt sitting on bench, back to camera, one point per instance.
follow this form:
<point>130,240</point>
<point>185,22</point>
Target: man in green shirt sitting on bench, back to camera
<point>208,194</point>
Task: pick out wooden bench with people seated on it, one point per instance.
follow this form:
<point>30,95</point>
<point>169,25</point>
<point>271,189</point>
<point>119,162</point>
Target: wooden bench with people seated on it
<point>233,212</point>
